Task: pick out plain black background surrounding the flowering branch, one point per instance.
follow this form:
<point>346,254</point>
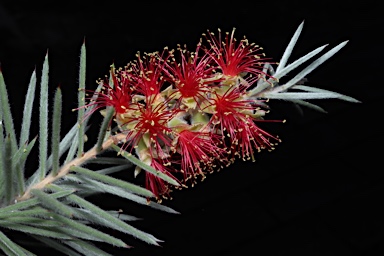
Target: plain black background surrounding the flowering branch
<point>319,193</point>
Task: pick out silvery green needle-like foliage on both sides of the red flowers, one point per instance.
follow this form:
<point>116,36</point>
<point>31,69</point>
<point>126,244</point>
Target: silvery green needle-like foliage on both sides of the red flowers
<point>51,205</point>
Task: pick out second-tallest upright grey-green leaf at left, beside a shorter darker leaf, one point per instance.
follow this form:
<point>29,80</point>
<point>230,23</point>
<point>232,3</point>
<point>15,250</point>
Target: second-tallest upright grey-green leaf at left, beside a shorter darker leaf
<point>43,121</point>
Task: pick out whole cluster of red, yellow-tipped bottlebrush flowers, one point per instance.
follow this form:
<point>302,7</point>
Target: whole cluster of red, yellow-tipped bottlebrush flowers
<point>186,113</point>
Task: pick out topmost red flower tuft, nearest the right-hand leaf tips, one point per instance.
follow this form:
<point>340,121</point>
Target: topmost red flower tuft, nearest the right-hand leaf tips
<point>234,59</point>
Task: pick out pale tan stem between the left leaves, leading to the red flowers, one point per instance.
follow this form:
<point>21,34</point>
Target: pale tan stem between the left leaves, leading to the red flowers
<point>64,170</point>
